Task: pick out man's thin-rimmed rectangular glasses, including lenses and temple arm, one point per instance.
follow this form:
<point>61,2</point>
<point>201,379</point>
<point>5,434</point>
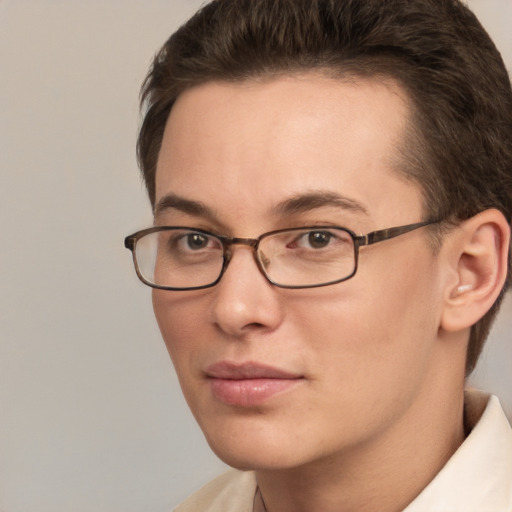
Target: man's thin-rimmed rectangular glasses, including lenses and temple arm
<point>184,258</point>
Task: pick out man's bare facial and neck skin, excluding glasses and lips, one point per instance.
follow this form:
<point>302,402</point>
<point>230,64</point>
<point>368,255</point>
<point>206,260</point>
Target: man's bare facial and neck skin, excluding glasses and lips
<point>377,409</point>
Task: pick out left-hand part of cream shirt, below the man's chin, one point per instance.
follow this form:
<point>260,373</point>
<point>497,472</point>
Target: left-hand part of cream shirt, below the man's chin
<point>232,491</point>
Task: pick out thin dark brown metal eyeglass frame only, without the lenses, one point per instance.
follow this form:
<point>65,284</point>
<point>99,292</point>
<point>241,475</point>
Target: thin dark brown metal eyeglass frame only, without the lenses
<point>227,242</point>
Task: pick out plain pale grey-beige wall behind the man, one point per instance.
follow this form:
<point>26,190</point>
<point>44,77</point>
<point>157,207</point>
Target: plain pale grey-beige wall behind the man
<point>91,415</point>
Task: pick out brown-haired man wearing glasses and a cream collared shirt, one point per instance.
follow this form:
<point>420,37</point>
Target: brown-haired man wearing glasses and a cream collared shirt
<point>331,183</point>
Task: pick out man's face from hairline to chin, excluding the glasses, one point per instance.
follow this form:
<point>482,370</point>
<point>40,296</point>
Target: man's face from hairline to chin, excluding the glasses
<point>279,378</point>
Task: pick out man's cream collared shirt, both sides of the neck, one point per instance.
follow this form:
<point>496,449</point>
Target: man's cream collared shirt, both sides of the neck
<point>477,478</point>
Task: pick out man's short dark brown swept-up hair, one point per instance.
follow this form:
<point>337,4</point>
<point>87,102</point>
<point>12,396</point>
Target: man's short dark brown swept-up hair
<point>459,145</point>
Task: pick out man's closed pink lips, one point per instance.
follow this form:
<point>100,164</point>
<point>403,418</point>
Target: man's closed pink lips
<point>248,384</point>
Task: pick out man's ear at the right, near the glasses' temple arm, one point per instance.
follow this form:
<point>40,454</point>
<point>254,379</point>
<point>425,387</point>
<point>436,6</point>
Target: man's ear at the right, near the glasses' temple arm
<point>477,252</point>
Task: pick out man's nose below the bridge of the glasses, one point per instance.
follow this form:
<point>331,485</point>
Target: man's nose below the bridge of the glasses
<point>244,301</point>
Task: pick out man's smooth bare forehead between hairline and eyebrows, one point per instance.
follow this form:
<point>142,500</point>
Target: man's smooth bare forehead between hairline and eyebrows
<point>237,146</point>
